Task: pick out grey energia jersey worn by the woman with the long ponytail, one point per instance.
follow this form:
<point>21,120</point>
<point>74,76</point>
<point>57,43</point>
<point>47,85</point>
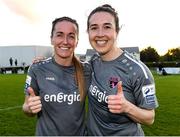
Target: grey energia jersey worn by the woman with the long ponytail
<point>62,112</point>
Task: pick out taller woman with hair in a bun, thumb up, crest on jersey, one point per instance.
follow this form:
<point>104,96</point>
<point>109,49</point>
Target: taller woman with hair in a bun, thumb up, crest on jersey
<point>122,90</point>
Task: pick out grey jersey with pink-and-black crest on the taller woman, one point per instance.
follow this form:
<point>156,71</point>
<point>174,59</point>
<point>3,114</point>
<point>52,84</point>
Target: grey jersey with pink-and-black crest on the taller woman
<point>138,88</point>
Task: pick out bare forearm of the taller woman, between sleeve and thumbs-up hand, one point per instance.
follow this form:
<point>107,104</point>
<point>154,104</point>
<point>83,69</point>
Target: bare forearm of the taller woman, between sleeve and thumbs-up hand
<point>140,115</point>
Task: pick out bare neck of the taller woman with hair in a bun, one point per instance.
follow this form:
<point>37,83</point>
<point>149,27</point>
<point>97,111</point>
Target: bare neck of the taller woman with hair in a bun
<point>112,55</point>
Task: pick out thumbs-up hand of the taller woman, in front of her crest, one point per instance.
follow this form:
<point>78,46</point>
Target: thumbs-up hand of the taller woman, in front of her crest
<point>118,103</point>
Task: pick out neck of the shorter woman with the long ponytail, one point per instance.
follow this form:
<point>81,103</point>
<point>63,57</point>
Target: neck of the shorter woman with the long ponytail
<point>63,61</point>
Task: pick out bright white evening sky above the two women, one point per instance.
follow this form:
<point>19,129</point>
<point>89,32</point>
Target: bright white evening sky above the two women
<point>144,23</point>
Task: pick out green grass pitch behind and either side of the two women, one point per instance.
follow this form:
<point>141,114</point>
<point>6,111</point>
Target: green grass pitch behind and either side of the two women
<point>14,123</point>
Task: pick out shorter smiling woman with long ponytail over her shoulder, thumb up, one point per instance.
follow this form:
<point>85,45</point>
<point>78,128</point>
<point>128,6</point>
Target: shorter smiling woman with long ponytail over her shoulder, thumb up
<point>55,88</point>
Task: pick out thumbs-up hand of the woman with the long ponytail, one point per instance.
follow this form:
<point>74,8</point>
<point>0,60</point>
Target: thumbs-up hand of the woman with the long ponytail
<point>33,101</point>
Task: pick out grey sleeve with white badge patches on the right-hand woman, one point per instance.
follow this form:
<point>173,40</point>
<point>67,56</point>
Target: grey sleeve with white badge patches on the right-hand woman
<point>144,89</point>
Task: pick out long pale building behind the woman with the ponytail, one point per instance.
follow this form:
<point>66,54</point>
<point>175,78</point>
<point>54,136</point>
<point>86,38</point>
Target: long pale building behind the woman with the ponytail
<point>24,54</point>
